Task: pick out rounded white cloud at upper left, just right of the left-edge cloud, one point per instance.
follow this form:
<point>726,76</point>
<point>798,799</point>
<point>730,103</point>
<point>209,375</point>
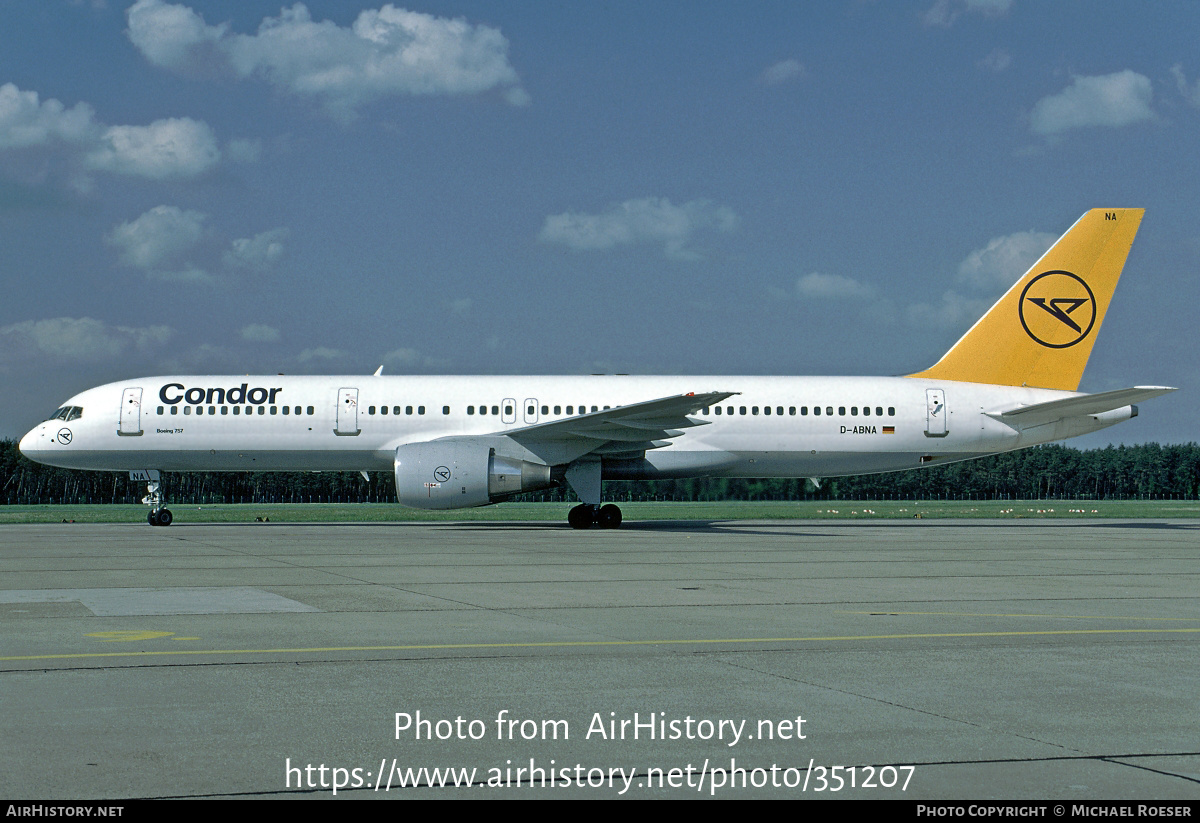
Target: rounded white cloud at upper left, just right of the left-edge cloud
<point>173,148</point>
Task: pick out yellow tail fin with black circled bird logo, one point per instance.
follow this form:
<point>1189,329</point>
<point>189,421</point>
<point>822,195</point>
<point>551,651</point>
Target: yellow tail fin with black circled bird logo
<point>1042,332</point>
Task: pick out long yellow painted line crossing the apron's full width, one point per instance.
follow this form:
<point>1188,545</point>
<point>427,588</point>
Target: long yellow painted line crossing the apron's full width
<point>553,645</point>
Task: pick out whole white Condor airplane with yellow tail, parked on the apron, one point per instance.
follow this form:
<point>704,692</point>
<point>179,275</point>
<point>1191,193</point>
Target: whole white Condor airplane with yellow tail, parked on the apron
<point>457,442</point>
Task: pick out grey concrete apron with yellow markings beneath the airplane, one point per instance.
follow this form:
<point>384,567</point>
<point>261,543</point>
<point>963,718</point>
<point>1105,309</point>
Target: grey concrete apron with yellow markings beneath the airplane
<point>941,659</point>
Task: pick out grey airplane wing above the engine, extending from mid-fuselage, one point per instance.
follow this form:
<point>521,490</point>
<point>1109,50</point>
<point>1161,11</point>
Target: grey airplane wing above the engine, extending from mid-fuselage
<point>623,431</point>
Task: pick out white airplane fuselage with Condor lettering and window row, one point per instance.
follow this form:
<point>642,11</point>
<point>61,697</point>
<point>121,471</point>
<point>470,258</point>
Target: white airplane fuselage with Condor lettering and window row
<point>771,429</point>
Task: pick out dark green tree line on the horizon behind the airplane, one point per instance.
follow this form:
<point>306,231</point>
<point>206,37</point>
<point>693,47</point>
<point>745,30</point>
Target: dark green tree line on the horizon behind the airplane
<point>1052,472</point>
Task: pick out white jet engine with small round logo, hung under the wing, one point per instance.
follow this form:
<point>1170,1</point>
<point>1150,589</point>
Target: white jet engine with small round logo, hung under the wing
<point>459,473</point>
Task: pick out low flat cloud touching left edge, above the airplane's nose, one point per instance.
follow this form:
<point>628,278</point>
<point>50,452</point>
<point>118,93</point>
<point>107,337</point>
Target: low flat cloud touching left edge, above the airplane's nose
<point>77,340</point>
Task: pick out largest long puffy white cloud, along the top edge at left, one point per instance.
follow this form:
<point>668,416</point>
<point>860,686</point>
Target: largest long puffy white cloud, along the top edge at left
<point>385,52</point>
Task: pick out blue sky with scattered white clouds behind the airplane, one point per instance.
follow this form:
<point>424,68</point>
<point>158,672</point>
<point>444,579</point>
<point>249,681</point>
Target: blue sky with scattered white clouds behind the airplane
<point>535,188</point>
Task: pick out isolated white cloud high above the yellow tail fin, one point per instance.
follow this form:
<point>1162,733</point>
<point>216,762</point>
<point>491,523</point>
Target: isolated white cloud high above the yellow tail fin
<point>1109,100</point>
